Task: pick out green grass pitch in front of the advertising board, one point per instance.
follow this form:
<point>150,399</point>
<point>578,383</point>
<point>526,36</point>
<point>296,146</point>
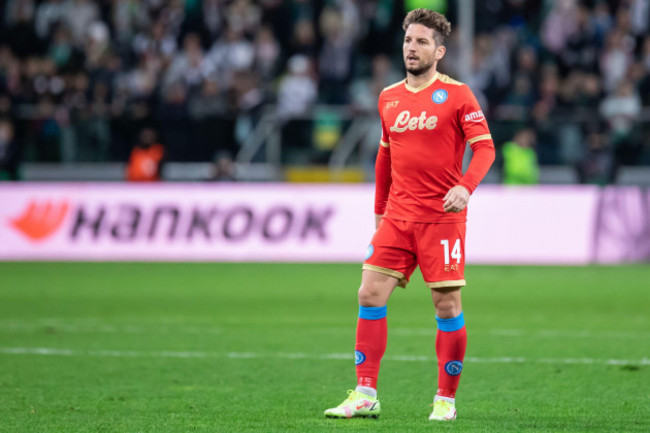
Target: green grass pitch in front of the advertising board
<point>121,347</point>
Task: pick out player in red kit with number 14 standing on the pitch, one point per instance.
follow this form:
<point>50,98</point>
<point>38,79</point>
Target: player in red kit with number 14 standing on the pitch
<point>420,210</point>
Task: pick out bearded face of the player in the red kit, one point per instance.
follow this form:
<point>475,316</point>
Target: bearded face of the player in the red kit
<point>420,50</point>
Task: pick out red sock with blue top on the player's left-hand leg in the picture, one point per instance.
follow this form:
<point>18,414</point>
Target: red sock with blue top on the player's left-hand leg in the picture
<point>371,344</point>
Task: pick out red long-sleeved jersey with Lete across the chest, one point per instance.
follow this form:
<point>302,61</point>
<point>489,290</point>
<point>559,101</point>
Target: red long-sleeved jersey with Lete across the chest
<point>424,134</point>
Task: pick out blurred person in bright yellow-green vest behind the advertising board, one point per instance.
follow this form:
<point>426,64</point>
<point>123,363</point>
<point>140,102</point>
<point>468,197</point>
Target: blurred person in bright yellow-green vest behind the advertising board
<point>520,160</point>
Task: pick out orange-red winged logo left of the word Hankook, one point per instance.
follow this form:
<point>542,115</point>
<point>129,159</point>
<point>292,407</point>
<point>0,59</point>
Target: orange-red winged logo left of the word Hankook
<point>41,219</point>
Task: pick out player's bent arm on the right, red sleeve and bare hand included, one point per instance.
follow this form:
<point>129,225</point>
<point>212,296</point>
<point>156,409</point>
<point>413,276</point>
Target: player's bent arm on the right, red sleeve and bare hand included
<point>477,134</point>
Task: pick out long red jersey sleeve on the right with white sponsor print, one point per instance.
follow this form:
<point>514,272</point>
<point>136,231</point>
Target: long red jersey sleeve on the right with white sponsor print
<point>477,134</point>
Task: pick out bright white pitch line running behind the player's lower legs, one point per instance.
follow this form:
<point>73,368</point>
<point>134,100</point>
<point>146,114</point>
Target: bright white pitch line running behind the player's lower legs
<point>46,351</point>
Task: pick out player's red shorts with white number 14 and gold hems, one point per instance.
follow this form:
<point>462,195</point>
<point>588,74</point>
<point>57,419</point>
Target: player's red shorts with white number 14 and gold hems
<point>439,249</point>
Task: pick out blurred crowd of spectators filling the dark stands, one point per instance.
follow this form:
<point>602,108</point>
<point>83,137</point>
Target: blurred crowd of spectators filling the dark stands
<point>80,79</point>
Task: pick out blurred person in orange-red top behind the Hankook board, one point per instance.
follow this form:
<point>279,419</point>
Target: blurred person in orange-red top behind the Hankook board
<point>145,162</point>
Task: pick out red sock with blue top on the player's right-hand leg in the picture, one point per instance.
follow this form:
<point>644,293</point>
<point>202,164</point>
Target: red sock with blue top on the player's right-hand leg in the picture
<point>451,342</point>
